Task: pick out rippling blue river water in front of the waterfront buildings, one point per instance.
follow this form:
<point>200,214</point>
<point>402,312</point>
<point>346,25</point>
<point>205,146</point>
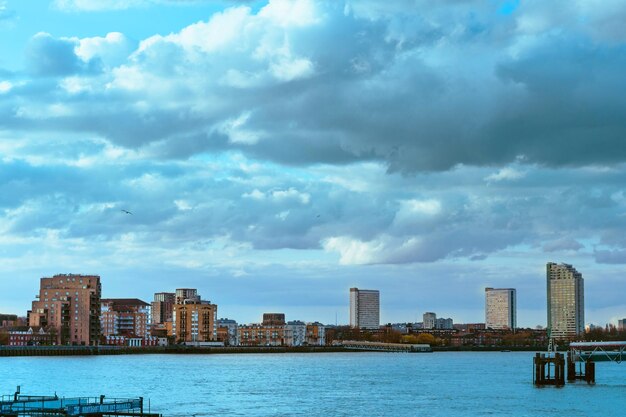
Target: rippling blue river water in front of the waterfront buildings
<point>440,384</point>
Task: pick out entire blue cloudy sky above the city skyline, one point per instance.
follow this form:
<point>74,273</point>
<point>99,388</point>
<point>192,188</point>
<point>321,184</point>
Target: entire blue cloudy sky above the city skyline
<point>276,153</point>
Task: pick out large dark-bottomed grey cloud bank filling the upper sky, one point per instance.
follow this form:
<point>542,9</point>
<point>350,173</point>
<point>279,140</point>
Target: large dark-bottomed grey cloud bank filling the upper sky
<point>328,82</point>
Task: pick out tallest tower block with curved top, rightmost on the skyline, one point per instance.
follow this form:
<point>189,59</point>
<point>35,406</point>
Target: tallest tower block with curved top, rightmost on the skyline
<point>566,301</point>
